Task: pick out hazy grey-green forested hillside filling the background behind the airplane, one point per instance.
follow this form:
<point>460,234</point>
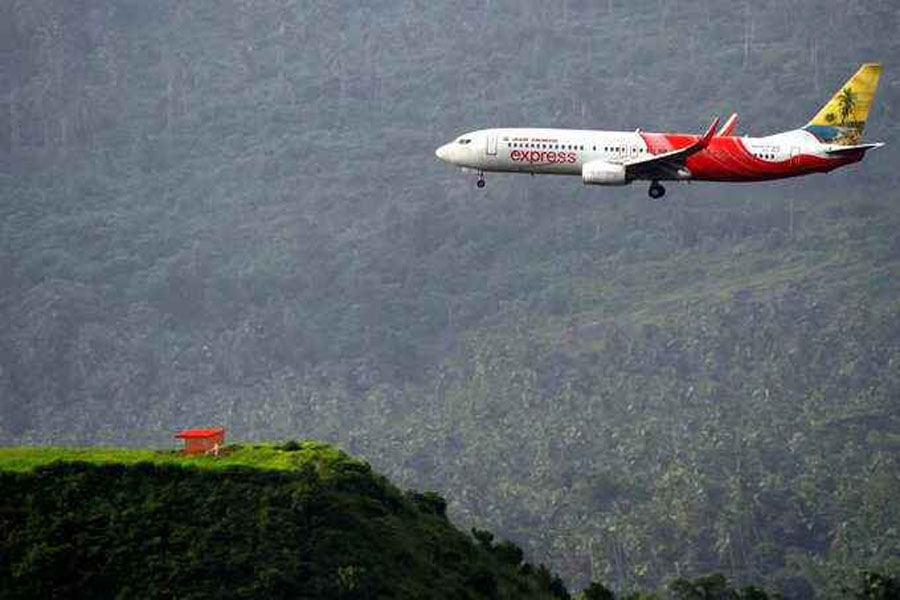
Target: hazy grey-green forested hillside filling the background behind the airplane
<point>230,213</point>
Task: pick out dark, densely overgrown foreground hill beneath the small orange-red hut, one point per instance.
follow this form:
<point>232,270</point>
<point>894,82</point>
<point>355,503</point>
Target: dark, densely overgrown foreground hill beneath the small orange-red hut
<point>330,528</point>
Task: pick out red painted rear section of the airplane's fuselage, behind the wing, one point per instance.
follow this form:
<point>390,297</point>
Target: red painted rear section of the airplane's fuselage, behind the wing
<point>727,159</point>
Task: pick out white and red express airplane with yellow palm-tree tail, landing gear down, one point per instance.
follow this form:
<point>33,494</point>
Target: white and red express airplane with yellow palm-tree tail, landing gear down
<point>832,139</point>
